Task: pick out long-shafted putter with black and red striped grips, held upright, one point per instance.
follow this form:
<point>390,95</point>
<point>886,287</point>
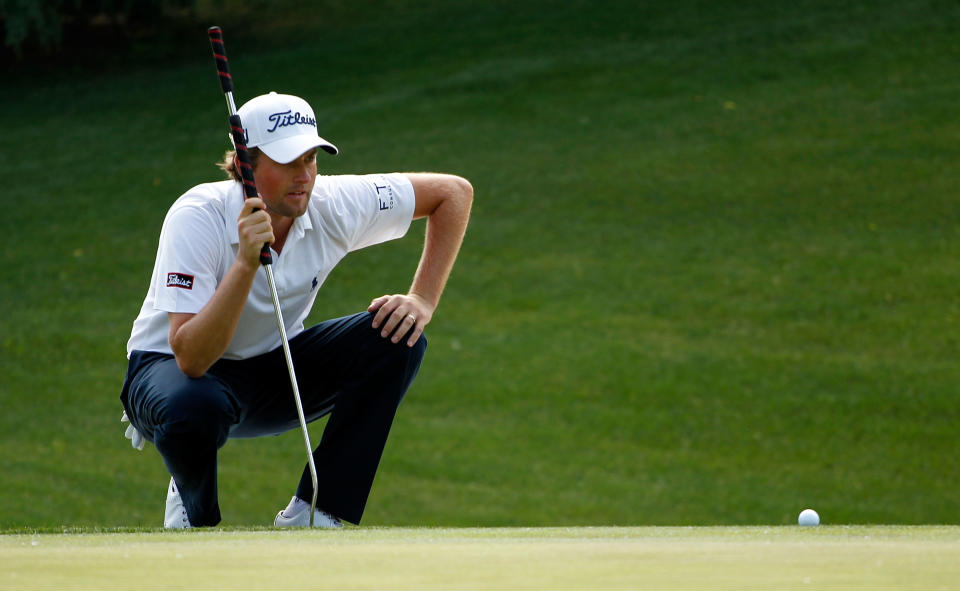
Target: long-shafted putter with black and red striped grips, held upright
<point>266,259</point>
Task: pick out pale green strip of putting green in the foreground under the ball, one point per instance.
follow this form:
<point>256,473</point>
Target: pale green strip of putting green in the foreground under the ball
<point>825,557</point>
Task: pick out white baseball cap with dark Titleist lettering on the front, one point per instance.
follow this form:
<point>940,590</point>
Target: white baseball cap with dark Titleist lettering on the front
<point>282,126</point>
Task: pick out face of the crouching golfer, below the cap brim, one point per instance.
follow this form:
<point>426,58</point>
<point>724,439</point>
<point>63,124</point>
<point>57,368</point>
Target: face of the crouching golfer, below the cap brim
<point>285,188</point>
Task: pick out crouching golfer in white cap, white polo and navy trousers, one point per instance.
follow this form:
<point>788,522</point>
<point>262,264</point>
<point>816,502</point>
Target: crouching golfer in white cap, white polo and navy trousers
<point>205,356</point>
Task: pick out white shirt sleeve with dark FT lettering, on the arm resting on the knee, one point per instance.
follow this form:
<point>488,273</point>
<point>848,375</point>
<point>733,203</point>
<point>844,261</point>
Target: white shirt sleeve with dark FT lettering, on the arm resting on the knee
<point>380,206</point>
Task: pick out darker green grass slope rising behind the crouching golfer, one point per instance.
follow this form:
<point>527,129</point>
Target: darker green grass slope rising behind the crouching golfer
<point>710,277</point>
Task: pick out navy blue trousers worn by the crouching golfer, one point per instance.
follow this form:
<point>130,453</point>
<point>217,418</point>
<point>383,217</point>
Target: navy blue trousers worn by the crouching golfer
<point>344,368</point>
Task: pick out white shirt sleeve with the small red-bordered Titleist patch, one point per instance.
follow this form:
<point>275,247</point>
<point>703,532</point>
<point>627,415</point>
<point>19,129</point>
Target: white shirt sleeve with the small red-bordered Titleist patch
<point>188,260</point>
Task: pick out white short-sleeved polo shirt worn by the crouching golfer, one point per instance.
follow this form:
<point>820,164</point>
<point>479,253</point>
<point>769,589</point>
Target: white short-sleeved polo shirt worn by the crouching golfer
<point>199,243</point>
